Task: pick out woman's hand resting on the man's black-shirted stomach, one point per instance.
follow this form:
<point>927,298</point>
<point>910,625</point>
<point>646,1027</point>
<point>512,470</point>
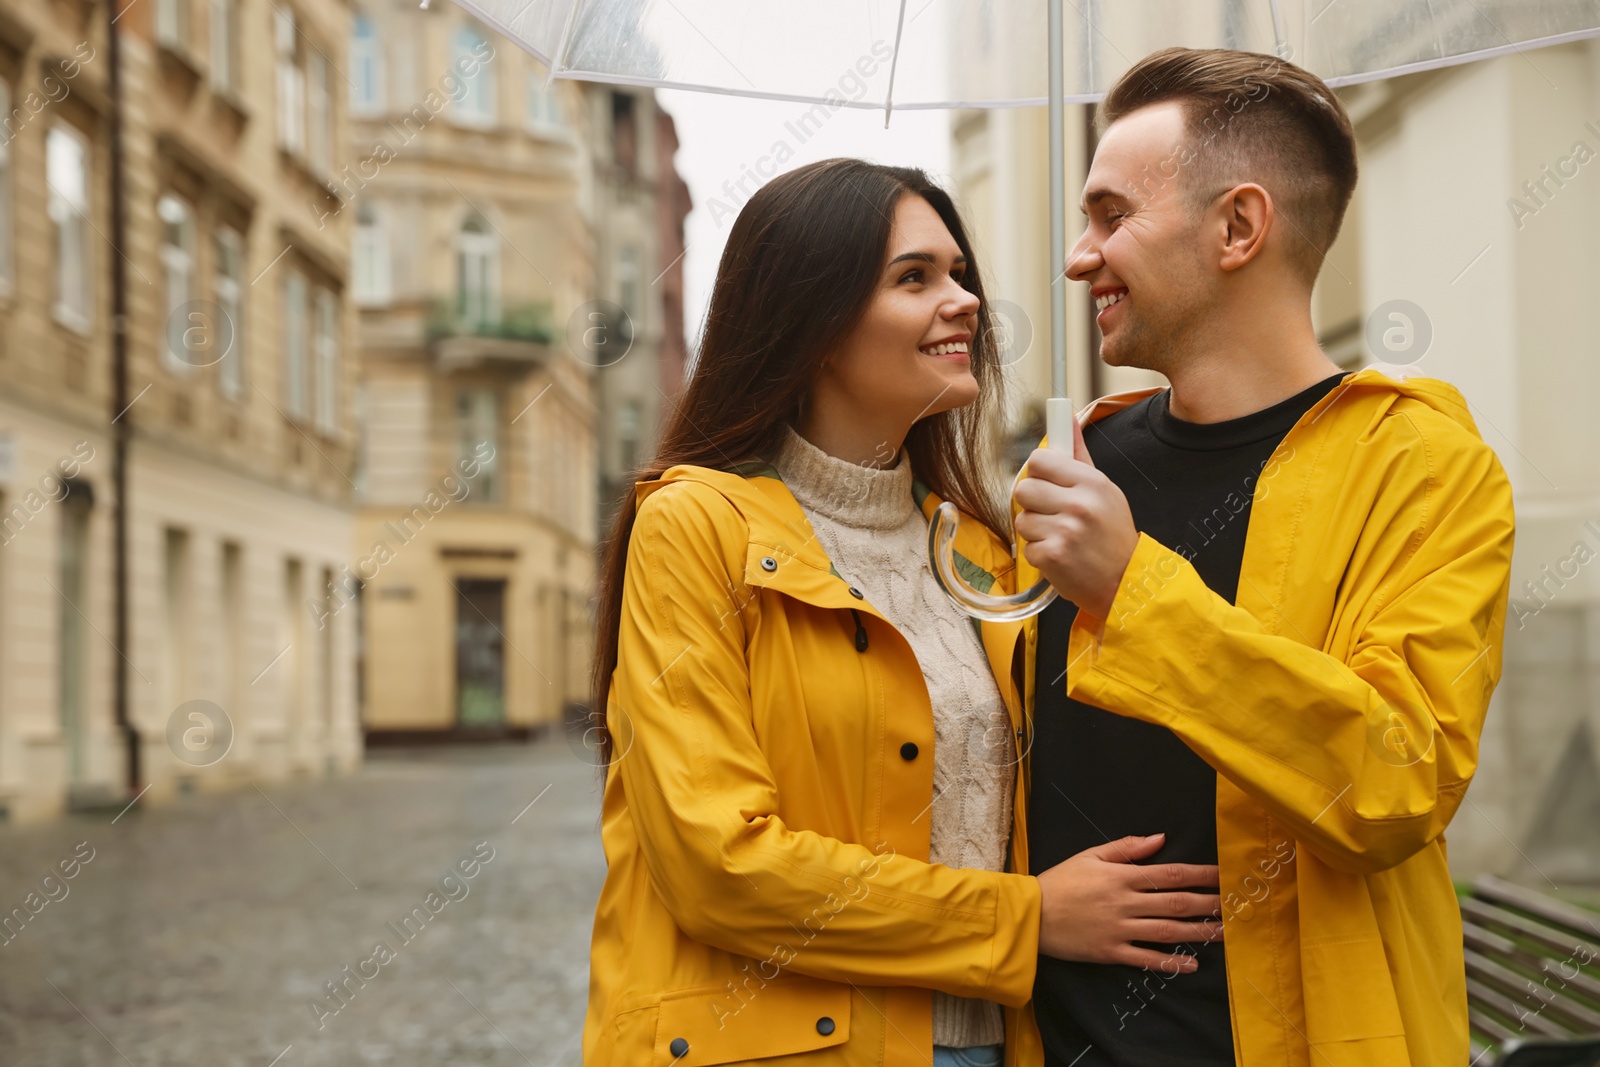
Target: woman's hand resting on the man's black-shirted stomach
<point>1102,901</point>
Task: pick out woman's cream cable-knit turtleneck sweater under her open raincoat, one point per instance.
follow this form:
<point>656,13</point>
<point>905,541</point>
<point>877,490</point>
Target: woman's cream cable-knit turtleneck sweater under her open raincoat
<point>878,538</point>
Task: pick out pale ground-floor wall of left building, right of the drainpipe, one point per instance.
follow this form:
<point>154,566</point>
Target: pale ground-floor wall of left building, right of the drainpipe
<point>289,719</point>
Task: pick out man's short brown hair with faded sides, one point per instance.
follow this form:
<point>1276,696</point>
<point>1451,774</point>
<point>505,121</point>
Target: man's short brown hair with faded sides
<point>1254,118</point>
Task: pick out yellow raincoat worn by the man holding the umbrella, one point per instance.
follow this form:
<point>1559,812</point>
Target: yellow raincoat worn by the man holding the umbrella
<point>1342,701</point>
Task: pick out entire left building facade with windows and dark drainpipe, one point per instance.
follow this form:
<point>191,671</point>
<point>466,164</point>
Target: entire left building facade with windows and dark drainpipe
<point>218,423</point>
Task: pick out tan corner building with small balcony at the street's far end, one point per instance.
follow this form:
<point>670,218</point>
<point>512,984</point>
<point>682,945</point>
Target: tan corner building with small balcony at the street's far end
<point>505,244</point>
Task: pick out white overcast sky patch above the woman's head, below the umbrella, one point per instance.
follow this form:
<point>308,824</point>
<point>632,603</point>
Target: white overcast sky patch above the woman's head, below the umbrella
<point>726,138</point>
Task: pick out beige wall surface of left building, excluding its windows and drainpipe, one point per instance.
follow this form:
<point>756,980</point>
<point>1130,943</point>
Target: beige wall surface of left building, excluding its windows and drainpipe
<point>218,468</point>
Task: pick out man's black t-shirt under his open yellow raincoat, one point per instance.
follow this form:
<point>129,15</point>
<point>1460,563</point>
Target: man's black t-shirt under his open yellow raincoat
<point>1102,777</point>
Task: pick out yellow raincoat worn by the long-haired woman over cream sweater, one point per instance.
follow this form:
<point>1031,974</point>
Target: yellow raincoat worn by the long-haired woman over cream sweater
<point>769,897</point>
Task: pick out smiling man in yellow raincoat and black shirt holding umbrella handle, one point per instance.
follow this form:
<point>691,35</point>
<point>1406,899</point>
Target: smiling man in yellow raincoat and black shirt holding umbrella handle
<point>1300,706</point>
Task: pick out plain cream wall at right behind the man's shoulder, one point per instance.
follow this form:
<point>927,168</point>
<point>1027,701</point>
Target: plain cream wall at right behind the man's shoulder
<point>1444,156</point>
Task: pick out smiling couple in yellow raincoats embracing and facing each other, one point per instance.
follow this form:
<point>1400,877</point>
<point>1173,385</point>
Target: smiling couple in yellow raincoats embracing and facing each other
<point>1194,812</point>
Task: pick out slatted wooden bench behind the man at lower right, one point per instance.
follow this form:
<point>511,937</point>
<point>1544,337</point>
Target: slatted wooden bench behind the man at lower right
<point>1534,978</point>
